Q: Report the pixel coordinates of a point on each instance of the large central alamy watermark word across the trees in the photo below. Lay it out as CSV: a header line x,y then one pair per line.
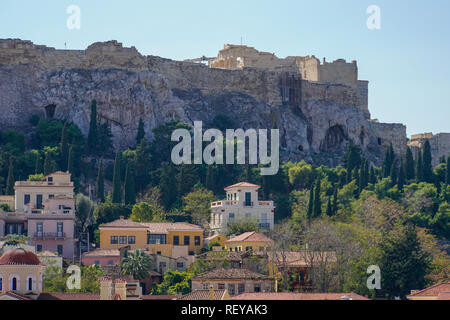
x,y
213,152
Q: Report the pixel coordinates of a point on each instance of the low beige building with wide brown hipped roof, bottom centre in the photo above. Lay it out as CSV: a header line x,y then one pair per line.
x,y
235,280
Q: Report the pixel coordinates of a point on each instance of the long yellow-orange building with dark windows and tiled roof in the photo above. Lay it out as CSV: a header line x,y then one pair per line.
x,y
168,239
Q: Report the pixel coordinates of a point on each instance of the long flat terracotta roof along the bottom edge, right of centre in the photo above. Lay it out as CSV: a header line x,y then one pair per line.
x,y
297,296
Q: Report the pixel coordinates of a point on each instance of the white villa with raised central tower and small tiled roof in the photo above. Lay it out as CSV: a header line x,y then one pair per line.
x,y
241,203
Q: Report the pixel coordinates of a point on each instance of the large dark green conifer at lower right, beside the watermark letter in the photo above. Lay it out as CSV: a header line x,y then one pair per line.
x,y
404,263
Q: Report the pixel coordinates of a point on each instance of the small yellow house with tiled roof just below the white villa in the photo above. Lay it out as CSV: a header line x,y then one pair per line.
x,y
254,241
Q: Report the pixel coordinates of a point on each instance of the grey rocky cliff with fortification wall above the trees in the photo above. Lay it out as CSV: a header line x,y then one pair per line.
x,y
316,119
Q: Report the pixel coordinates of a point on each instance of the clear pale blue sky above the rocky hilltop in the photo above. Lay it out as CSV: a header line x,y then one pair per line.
x,y
407,62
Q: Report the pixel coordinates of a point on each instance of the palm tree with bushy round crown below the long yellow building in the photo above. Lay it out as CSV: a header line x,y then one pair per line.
x,y
137,264
